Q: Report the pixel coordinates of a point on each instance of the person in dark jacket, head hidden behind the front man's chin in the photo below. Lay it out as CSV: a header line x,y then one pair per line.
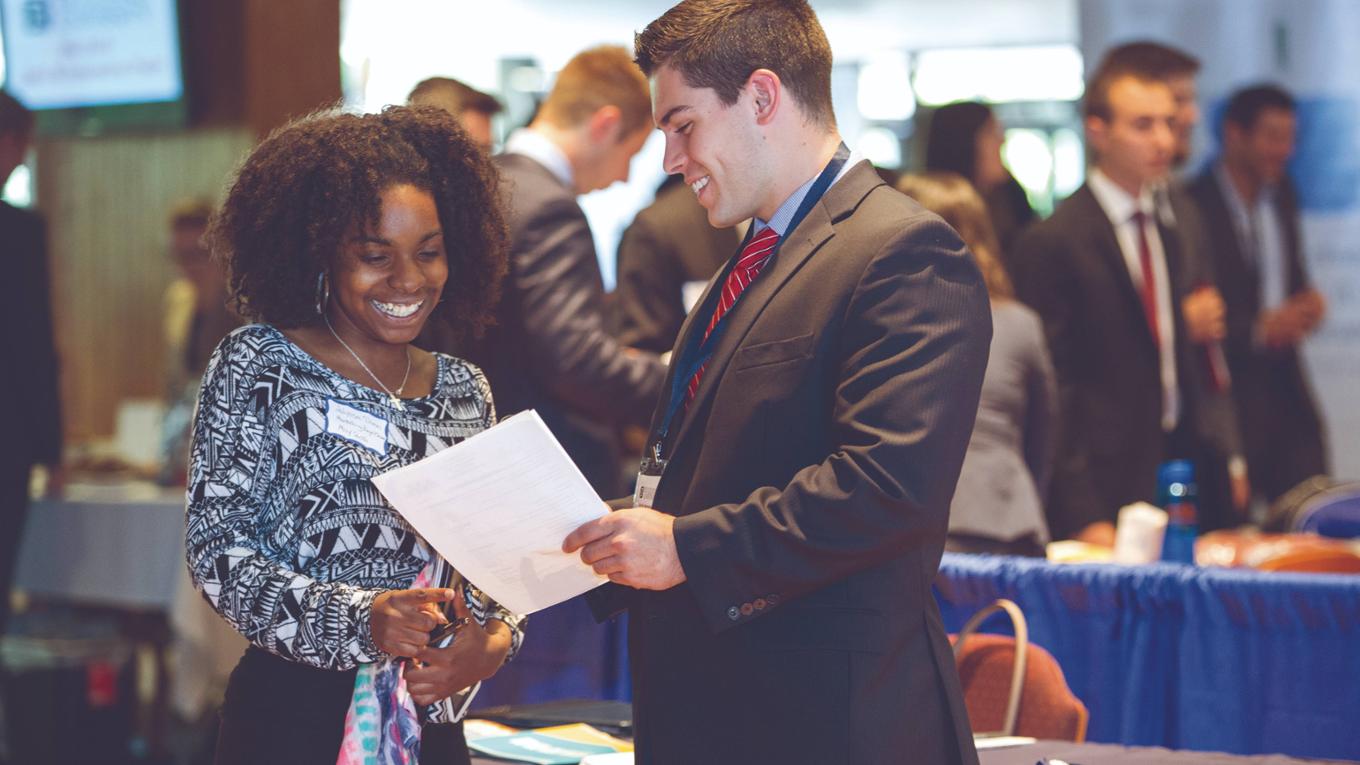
x,y
668,254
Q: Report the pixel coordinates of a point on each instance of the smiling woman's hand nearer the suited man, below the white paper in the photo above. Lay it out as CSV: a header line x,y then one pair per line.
x,y
475,655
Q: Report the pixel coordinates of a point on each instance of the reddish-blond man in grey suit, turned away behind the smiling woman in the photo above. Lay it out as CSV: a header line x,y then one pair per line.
x,y
551,349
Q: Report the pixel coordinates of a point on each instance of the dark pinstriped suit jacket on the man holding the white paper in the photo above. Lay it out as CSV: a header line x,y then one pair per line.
x,y
813,477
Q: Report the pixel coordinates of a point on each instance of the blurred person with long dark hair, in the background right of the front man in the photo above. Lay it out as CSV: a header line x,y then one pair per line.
x,y
966,138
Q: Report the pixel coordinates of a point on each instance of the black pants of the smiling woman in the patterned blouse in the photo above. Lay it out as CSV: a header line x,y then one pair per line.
x,y
289,714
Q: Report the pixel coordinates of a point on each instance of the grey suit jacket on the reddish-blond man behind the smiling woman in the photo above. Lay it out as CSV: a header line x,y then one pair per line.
x,y
551,349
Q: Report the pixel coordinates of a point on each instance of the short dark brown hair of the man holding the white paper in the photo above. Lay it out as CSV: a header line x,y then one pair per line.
x,y
717,44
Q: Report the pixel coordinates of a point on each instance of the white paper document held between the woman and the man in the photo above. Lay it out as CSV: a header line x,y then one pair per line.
x,y
498,507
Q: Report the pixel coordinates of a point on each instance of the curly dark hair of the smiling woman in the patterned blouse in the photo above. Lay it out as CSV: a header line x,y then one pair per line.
x,y
312,182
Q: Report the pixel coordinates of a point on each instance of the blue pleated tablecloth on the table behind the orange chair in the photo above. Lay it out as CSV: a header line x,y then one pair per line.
x,y
1188,658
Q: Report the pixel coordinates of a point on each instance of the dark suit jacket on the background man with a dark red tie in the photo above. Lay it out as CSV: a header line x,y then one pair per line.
x,y
1110,442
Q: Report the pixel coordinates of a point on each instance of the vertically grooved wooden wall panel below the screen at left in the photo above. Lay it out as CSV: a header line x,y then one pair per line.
x,y
107,204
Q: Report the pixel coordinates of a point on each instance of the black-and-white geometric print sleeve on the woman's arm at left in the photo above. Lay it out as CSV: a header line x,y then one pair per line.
x,y
231,557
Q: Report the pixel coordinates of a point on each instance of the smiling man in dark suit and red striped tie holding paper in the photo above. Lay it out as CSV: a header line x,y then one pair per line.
x,y
804,457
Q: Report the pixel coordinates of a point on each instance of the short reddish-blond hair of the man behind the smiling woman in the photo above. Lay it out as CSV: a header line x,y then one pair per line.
x,y
598,78
